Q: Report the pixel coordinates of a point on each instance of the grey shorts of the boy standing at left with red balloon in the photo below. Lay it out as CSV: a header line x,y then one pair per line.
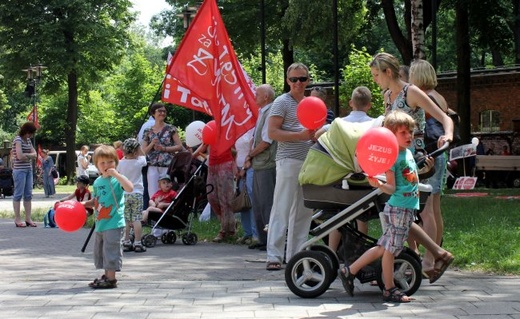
x,y
108,253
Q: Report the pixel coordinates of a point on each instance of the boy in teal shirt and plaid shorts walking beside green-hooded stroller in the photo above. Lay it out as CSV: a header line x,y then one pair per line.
x,y
402,183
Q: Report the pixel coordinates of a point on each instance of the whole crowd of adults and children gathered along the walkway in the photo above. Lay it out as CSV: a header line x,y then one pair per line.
x,y
266,161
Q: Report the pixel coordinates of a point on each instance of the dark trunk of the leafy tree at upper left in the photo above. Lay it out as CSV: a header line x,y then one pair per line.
x,y
72,121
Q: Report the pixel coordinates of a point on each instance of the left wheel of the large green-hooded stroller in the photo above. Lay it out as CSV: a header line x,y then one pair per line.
x,y
308,273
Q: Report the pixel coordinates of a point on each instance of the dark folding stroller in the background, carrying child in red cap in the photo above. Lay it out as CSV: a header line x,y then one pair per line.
x,y
190,174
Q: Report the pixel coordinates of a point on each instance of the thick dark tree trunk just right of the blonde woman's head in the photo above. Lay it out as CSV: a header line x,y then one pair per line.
x,y
463,70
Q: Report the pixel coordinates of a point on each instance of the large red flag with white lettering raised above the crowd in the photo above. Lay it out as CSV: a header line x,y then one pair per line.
x,y
205,75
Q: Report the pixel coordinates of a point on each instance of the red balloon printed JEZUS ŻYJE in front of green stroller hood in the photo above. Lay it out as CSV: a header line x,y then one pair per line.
x,y
377,150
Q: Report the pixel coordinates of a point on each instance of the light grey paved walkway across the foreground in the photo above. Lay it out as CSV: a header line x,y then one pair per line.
x,y
45,276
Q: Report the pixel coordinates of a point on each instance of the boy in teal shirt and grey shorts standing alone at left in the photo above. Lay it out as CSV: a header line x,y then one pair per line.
x,y
108,202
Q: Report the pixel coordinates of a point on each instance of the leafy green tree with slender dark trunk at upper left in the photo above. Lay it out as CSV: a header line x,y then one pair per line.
x,y
76,39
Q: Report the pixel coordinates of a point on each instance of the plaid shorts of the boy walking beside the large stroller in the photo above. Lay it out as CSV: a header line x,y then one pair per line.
x,y
397,222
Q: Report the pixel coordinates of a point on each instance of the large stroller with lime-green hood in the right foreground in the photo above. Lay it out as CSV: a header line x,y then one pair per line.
x,y
310,272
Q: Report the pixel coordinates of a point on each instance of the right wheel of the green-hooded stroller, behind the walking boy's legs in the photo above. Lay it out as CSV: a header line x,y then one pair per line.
x,y
407,274
